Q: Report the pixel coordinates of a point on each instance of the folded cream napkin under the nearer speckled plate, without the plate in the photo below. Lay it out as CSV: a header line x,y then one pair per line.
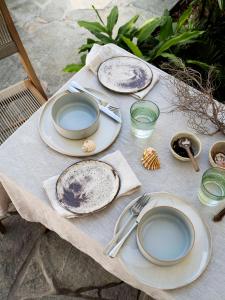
x,y
129,181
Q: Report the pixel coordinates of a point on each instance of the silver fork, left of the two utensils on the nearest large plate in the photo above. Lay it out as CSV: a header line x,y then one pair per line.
x,y
135,209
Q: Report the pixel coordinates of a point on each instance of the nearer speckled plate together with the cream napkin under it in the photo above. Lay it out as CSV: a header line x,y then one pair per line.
x,y
89,186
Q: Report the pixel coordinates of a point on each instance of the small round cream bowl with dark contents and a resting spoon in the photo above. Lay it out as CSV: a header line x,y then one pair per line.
x,y
195,142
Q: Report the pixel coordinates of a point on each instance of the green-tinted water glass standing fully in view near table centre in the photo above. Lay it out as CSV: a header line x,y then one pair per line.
x,y
144,115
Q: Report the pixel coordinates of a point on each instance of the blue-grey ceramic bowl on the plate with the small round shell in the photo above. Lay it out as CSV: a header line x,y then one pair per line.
x,y
75,116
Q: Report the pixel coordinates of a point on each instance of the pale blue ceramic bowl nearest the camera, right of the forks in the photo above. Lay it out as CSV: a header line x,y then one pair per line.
x,y
165,235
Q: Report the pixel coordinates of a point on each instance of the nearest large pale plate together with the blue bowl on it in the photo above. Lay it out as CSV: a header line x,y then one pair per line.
x,y
172,246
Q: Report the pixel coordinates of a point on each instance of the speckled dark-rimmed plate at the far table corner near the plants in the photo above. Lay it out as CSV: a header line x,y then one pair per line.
x,y
124,74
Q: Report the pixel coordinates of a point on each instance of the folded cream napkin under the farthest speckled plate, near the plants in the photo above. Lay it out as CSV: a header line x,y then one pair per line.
x,y
98,54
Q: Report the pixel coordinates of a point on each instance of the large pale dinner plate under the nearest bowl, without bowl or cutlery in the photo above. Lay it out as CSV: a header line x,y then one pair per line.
x,y
168,277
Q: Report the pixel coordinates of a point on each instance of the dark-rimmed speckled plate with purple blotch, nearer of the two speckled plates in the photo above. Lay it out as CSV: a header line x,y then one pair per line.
x,y
87,186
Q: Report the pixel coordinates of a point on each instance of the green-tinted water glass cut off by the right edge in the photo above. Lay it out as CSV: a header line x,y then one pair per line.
x,y
212,190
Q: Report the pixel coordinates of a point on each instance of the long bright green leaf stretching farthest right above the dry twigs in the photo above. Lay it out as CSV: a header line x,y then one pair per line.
x,y
183,38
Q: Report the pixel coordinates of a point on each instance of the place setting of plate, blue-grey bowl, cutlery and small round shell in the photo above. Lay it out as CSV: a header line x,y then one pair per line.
x,y
78,123
